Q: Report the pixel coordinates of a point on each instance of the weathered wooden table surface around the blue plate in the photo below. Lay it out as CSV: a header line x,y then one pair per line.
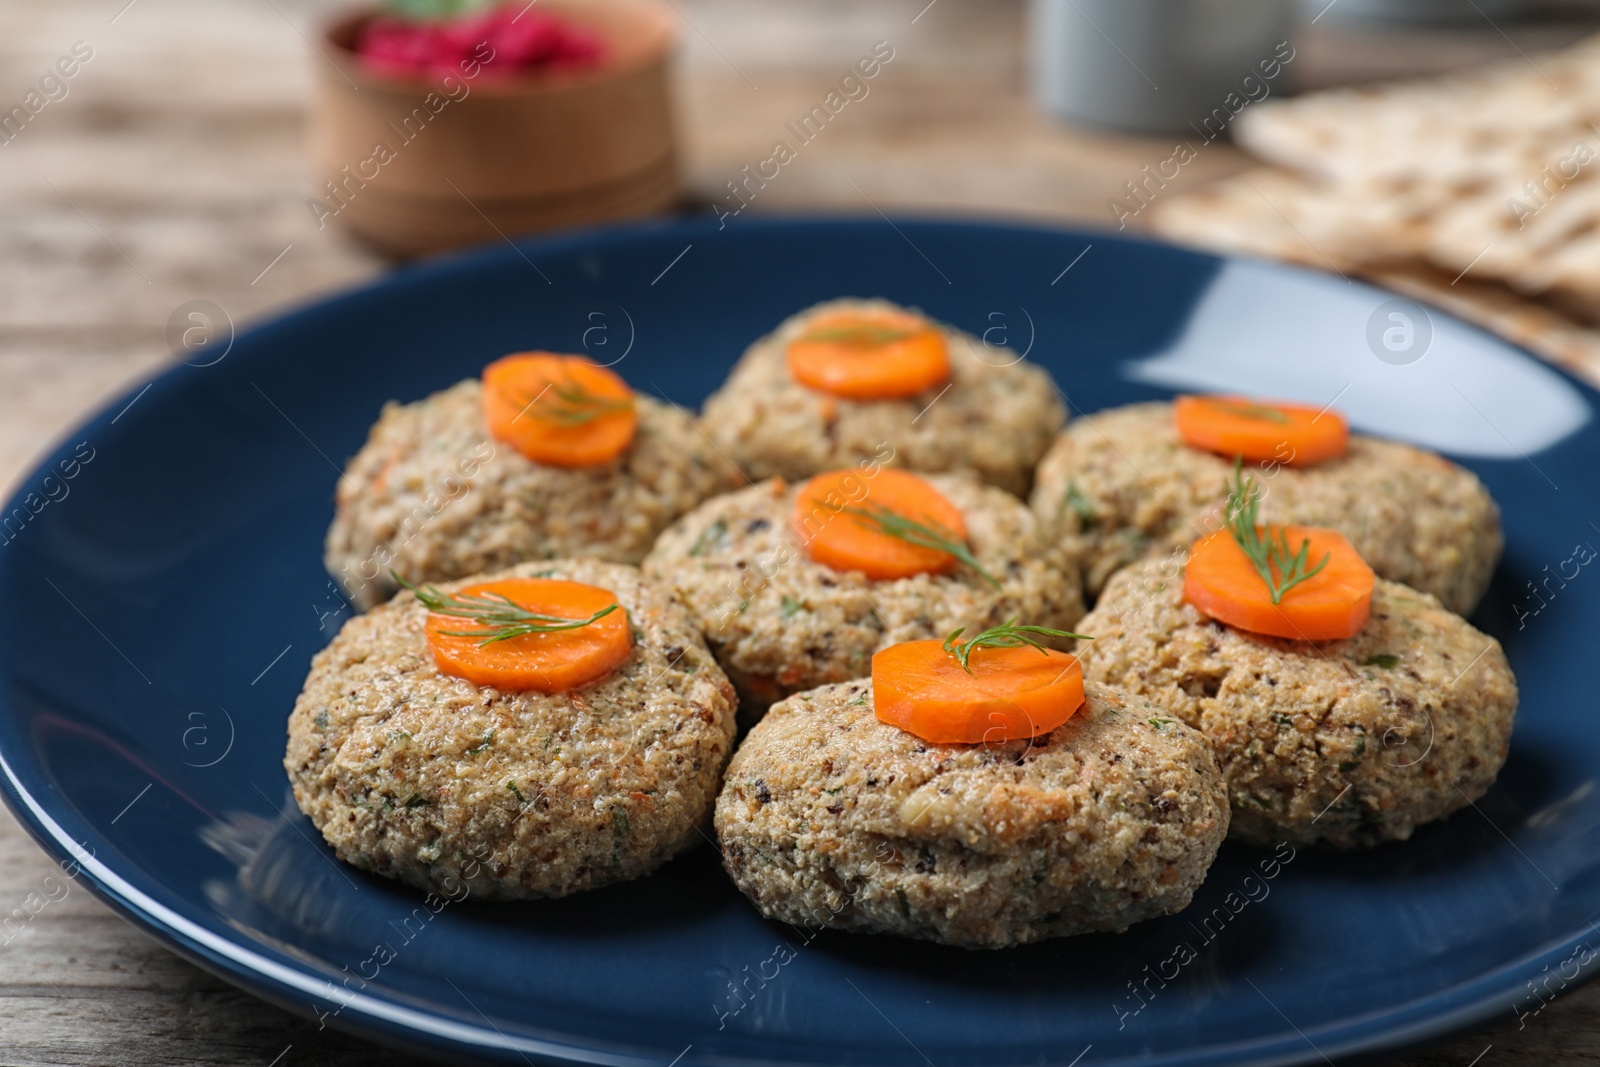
x,y
175,169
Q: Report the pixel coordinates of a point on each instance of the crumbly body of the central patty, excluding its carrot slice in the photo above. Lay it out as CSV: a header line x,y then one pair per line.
x,y
782,623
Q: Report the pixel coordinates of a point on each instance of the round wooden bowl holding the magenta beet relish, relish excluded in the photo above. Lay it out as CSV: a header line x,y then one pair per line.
x,y
417,167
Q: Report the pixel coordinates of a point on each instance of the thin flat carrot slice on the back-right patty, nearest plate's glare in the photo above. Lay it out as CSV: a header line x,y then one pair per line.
x,y
1262,431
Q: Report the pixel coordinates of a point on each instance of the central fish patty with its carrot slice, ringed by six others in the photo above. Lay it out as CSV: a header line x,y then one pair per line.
x,y
782,621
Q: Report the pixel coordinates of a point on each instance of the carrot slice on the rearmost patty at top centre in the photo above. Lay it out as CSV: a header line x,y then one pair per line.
x,y
871,356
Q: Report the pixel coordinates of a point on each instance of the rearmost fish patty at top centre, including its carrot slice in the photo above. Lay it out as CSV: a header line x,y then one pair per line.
x,y
791,414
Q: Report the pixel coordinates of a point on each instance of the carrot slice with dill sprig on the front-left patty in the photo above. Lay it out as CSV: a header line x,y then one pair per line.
x,y
468,642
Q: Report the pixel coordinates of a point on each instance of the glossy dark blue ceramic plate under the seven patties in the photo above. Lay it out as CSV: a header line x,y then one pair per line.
x,y
164,593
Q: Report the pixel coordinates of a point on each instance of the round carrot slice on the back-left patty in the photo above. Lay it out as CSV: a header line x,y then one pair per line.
x,y
559,410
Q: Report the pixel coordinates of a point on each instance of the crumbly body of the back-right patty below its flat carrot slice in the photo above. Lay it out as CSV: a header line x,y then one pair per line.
x,y
1121,486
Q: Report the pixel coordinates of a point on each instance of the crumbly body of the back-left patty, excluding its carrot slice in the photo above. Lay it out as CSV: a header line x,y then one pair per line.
x,y
434,497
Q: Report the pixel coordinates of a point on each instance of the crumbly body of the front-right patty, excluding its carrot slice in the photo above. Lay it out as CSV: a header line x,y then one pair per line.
x,y
1348,743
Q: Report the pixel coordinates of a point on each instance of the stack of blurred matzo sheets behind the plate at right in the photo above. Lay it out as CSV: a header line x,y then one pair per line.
x,y
1478,191
